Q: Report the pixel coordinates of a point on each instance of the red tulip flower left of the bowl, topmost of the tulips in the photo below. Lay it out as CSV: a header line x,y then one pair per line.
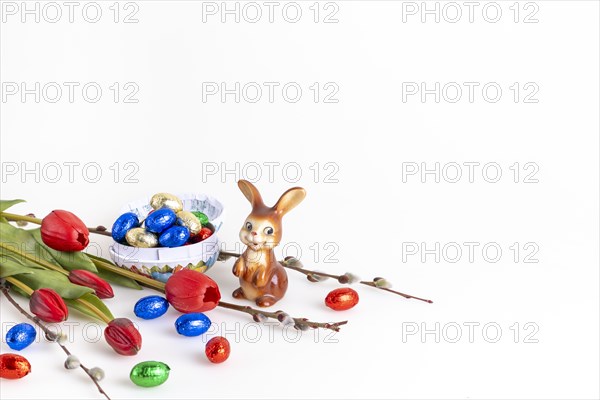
x,y
63,231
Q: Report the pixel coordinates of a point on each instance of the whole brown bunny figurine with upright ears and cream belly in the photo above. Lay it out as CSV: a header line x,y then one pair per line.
x,y
262,278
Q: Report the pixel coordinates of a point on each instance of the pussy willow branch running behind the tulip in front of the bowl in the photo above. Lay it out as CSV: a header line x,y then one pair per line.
x,y
160,286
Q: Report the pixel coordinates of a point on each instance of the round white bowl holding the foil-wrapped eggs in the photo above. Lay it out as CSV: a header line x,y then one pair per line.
x,y
160,262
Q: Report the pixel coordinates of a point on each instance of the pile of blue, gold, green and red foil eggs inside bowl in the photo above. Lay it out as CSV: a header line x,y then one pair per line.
x,y
167,225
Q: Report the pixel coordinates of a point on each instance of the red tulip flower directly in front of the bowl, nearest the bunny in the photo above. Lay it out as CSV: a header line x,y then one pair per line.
x,y
191,291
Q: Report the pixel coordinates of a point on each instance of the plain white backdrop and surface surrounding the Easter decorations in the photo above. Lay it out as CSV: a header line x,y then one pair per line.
x,y
173,138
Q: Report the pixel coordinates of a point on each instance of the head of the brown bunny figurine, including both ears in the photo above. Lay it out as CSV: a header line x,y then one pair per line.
x,y
262,228
